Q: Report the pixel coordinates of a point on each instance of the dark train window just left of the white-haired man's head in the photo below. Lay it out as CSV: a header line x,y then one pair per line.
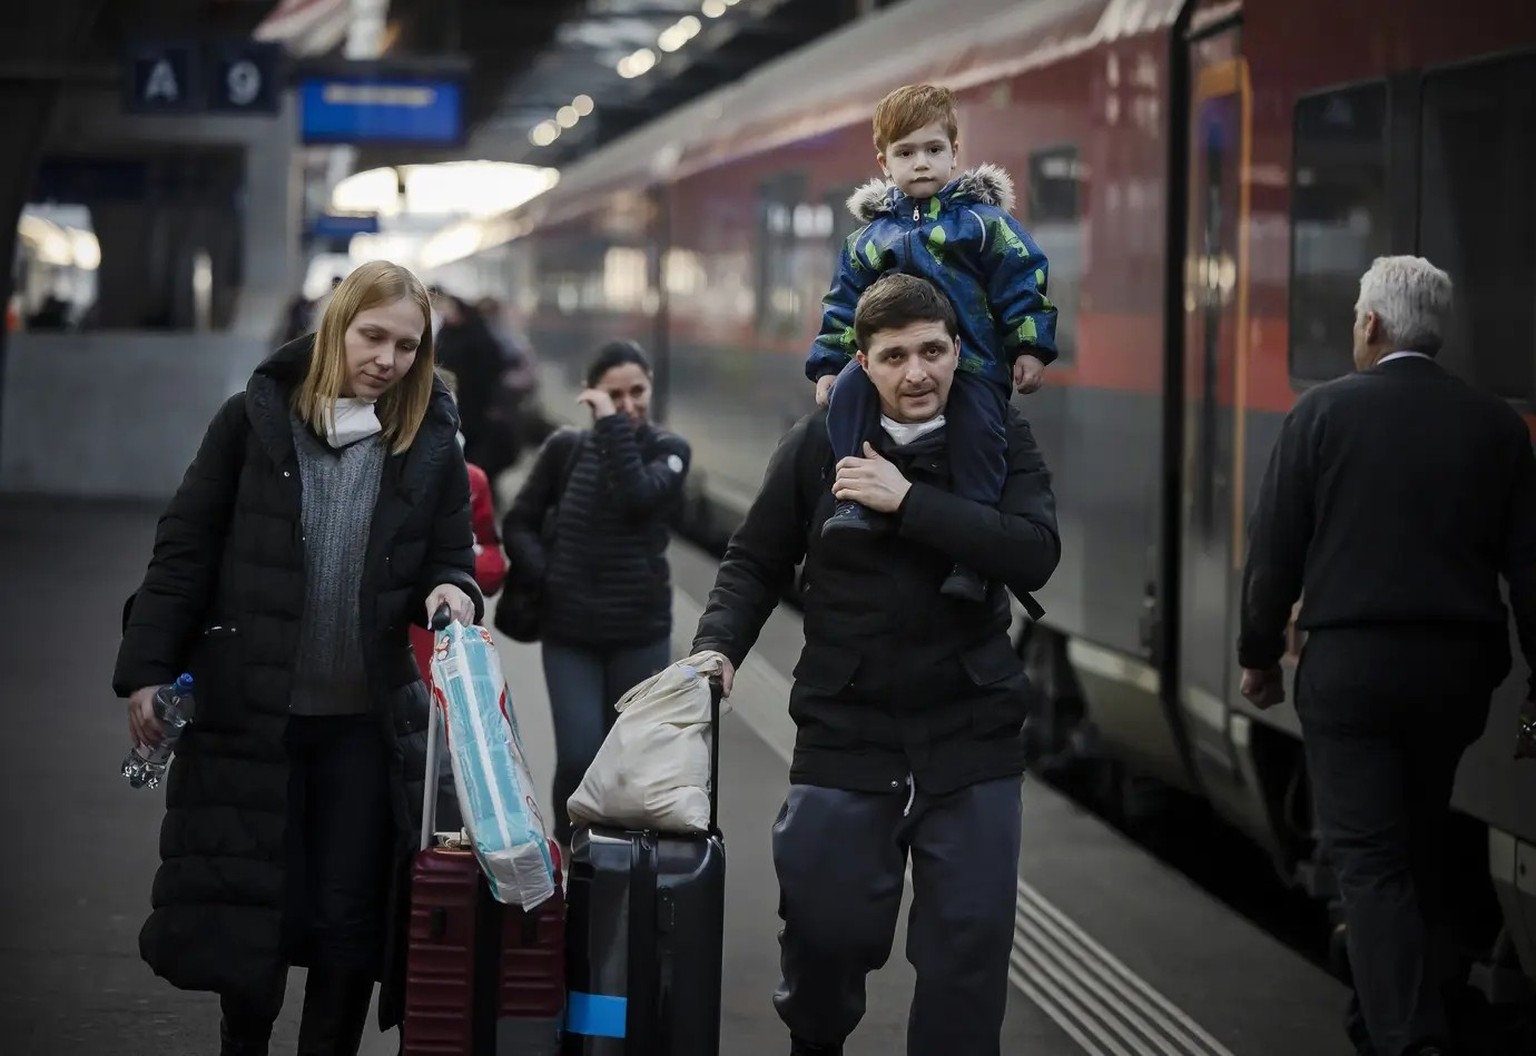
x,y
1339,222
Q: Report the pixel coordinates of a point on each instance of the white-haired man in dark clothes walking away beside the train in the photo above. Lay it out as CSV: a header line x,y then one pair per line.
x,y
1394,501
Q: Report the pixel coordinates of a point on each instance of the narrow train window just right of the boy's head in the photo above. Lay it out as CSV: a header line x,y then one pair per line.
x,y
1054,216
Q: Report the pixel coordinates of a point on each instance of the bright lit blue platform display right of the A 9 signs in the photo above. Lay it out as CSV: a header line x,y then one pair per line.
x,y
382,110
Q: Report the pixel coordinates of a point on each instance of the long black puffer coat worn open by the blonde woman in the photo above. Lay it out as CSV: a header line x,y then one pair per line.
x,y
223,599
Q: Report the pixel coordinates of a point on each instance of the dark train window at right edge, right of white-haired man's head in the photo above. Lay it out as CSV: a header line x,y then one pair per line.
x,y
1478,220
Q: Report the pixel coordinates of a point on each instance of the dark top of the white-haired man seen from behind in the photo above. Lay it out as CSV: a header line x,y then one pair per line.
x,y
1395,497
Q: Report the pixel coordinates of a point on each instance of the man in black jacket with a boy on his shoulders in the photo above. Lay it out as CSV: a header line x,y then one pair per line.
x,y
909,705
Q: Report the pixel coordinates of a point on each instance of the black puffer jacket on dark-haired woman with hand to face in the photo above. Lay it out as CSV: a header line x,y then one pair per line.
x,y
591,526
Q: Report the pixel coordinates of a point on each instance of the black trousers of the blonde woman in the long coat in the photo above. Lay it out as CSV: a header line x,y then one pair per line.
x,y
339,840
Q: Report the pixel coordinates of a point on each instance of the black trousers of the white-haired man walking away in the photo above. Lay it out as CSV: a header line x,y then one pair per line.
x,y
1386,718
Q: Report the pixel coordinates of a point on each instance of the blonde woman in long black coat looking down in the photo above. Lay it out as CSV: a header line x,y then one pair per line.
x,y
326,510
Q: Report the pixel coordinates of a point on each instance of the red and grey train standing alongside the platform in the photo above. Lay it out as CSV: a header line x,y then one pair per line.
x,y
1210,180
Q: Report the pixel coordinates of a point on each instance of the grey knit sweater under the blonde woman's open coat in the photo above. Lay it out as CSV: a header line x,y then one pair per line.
x,y
340,490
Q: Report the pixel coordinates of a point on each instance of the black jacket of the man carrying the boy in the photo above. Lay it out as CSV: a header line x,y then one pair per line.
x,y
895,679
